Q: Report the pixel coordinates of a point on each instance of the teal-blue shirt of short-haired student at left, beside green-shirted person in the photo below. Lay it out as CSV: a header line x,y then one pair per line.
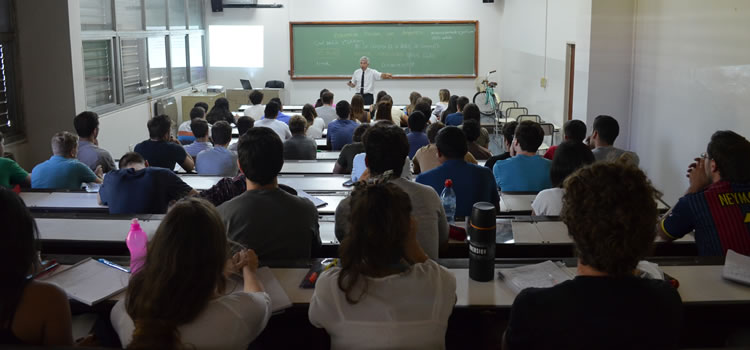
x,y
61,173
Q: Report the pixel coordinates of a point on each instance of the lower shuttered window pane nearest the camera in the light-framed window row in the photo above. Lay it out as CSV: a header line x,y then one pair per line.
x,y
97,65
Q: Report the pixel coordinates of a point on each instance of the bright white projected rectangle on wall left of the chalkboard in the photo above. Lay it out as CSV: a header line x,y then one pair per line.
x,y
226,52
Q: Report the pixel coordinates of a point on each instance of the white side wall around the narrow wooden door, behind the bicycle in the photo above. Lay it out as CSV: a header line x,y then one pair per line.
x,y
523,55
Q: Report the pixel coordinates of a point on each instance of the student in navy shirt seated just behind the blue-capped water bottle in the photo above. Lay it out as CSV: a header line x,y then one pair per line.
x,y
472,183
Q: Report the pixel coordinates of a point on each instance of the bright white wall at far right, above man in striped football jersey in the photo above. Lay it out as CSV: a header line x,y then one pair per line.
x,y
692,77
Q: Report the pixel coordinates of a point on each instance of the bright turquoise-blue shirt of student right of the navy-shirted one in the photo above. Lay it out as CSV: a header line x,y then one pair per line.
x,y
522,173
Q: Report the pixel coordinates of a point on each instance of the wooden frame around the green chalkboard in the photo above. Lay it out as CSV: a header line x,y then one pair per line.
x,y
471,76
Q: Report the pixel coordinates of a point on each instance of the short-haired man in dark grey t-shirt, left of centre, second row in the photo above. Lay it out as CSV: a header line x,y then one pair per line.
x,y
259,218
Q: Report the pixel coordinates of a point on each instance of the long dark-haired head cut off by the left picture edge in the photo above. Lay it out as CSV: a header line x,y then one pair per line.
x,y
18,247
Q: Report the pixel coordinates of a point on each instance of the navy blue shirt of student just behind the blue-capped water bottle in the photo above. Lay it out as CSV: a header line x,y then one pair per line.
x,y
472,183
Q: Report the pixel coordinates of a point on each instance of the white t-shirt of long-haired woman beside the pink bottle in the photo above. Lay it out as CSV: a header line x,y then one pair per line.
x,y
228,322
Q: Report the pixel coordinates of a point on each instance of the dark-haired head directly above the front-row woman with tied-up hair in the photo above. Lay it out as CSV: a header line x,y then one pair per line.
x,y
386,148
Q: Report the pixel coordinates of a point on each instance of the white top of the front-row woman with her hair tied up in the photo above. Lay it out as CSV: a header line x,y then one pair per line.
x,y
403,311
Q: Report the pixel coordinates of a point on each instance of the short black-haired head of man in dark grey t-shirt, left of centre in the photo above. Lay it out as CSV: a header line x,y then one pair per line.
x,y
261,155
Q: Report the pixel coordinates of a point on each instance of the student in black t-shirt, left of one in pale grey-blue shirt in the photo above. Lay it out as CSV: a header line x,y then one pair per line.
x,y
163,150
